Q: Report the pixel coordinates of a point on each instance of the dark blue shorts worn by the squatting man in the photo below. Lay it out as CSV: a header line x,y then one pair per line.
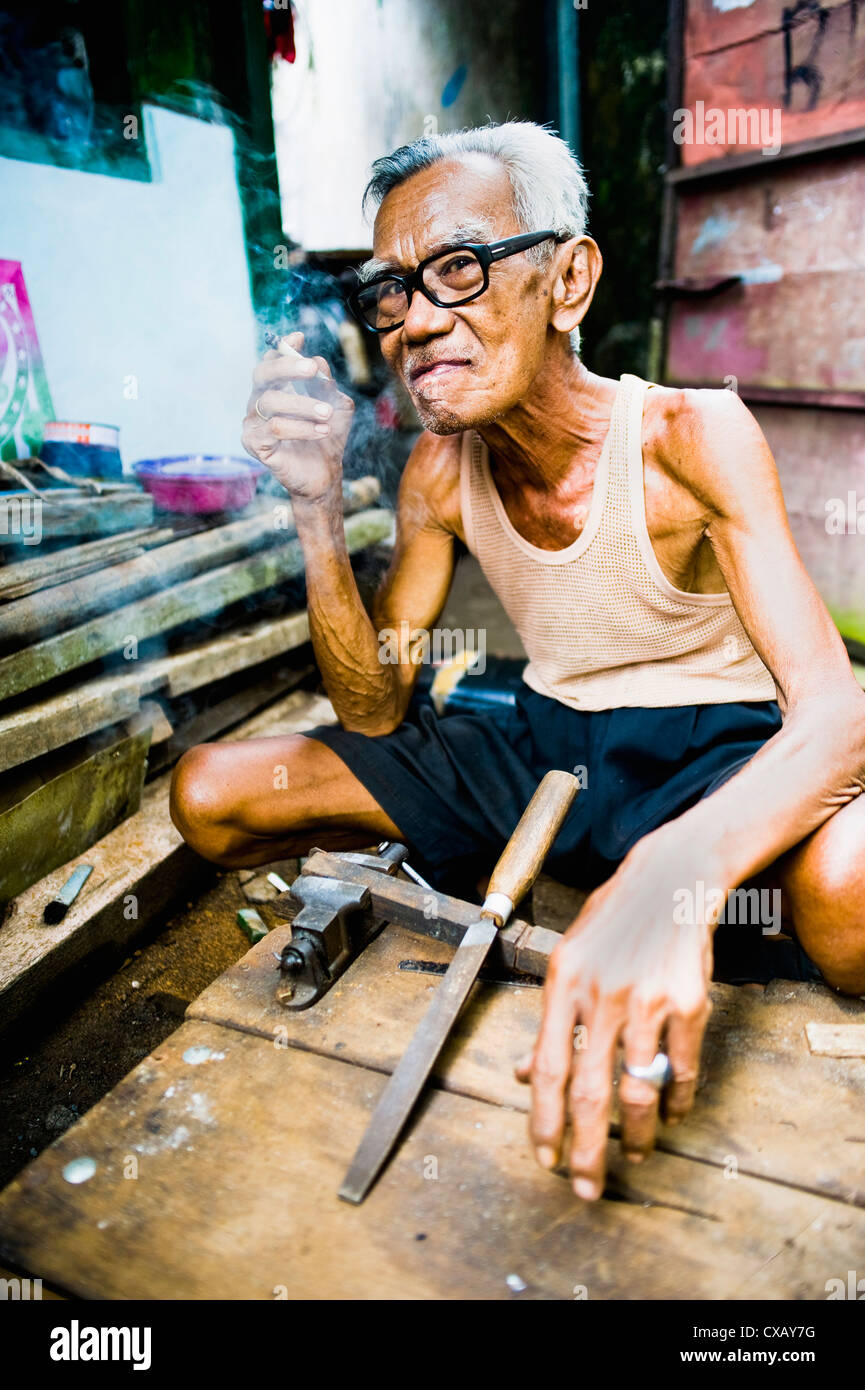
x,y
457,785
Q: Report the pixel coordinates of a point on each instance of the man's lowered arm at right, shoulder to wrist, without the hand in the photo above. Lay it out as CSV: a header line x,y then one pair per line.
x,y
817,761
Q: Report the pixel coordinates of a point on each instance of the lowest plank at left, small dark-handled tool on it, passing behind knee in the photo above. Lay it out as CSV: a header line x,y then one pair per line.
x,y
141,871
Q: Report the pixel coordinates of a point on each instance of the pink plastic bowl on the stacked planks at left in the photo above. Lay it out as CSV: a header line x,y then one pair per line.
x,y
200,483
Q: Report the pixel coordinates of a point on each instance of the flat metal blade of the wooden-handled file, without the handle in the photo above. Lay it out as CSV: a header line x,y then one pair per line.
x,y
418,1061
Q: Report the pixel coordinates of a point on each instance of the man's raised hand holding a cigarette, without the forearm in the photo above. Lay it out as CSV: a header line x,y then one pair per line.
x,y
297,419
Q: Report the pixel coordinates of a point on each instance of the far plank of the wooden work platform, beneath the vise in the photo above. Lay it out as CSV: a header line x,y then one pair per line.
x,y
766,1103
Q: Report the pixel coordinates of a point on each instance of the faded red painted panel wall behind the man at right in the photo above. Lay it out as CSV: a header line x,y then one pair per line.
x,y
795,234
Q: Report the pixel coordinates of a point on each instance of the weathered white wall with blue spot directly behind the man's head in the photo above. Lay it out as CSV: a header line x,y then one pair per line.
x,y
371,76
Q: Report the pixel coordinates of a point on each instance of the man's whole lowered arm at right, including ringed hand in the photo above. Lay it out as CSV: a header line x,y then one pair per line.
x,y
631,970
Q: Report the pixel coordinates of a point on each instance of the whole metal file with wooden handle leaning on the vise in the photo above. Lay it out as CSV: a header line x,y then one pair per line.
x,y
512,878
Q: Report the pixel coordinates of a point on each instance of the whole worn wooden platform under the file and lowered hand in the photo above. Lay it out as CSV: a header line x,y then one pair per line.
x,y
219,1160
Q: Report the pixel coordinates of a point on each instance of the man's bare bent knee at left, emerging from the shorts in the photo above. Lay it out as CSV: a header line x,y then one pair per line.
x,y
245,804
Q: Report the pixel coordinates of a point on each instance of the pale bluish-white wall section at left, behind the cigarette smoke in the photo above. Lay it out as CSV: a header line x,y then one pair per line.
x,y
141,280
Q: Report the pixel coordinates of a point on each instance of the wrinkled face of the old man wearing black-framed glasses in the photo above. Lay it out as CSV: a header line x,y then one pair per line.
x,y
464,366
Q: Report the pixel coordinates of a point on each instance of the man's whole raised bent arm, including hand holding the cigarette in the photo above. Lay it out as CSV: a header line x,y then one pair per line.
x,y
304,450
